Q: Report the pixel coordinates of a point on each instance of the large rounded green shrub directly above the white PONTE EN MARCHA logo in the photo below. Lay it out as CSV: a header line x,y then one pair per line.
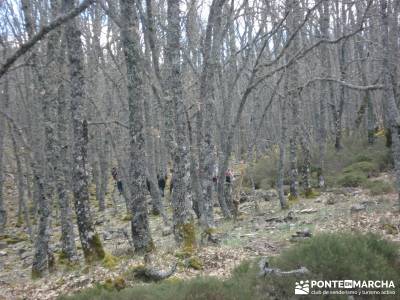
x,y
344,256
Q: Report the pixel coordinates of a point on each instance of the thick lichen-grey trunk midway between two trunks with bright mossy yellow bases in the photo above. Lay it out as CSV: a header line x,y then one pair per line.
x,y
137,176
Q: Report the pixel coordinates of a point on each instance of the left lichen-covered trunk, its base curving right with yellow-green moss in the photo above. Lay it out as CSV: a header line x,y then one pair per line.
x,y
91,244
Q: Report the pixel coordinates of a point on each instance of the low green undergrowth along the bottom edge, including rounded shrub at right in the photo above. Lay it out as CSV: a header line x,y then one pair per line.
x,y
330,256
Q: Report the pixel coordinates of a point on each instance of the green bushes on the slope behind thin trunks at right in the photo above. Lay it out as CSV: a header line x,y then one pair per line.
x,y
355,157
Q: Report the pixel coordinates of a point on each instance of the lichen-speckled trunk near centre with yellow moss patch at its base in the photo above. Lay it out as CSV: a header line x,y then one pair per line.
x,y
182,197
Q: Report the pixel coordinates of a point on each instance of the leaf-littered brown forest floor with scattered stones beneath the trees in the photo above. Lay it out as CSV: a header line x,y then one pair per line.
x,y
264,232
